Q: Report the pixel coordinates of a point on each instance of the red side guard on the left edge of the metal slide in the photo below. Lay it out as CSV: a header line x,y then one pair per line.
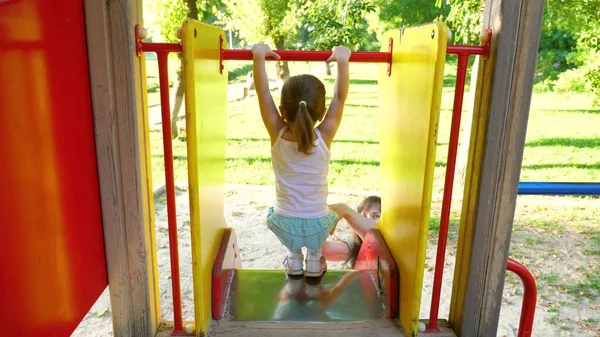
x,y
228,259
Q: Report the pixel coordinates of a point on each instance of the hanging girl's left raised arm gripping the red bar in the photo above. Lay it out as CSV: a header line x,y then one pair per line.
x,y
273,122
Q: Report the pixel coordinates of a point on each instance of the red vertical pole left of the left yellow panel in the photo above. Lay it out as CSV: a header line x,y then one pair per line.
x,y
163,75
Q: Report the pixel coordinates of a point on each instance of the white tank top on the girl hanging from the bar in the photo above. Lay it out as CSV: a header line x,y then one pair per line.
x,y
300,179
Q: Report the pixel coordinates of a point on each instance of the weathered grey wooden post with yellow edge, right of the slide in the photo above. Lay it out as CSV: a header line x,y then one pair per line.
x,y
496,149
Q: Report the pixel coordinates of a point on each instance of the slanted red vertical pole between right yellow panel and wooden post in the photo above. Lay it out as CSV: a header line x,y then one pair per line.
x,y
459,91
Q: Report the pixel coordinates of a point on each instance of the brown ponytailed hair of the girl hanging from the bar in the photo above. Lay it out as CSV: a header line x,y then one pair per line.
x,y
302,118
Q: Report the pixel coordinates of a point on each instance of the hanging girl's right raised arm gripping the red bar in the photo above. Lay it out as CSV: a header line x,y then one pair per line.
x,y
332,120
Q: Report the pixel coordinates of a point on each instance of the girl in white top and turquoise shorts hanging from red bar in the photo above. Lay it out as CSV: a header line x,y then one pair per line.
x,y
300,155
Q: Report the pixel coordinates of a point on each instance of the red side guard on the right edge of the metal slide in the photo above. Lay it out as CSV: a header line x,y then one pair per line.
x,y
375,255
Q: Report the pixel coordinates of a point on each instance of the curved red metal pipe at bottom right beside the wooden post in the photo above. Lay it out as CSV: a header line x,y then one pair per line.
x,y
529,297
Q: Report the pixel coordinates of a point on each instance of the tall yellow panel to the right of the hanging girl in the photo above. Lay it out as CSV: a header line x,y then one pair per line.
x,y
409,114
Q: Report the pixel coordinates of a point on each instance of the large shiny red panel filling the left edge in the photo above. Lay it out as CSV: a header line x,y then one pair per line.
x,y
53,266
